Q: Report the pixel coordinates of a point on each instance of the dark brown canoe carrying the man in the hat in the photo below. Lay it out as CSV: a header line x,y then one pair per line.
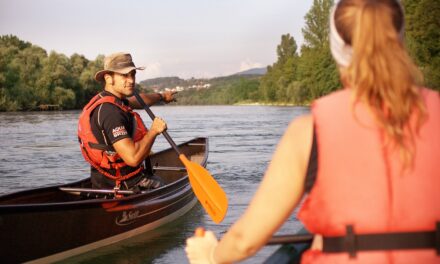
x,y
52,223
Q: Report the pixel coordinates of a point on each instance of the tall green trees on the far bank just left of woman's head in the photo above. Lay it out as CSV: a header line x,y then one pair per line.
x,y
299,77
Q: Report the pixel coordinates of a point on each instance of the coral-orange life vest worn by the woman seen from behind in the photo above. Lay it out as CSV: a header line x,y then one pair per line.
x,y
360,182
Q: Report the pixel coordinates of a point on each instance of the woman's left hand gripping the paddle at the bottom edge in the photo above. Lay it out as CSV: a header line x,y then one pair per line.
x,y
200,249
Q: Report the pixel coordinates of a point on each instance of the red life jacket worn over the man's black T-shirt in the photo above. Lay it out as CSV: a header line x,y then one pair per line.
x,y
100,156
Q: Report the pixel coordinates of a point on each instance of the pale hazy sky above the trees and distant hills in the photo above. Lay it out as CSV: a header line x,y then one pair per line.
x,y
184,38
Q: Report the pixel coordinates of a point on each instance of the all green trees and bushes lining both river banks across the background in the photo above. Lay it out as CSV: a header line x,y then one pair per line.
x,y
30,77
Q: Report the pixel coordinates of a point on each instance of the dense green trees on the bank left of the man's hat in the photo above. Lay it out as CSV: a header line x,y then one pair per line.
x,y
29,77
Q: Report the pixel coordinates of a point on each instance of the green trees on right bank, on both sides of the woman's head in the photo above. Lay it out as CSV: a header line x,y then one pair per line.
x,y
298,77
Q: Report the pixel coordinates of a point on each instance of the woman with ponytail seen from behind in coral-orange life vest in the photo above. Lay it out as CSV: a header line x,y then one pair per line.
x,y
367,156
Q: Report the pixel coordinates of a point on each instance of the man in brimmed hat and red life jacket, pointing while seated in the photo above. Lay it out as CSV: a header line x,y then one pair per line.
x,y
112,136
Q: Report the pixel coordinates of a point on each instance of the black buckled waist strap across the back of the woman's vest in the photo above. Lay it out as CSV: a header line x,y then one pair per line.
x,y
351,243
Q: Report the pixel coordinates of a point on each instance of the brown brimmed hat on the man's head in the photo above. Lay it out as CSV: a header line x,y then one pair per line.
x,y
120,62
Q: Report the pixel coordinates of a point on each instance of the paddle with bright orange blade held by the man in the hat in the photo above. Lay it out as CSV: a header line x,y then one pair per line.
x,y
207,190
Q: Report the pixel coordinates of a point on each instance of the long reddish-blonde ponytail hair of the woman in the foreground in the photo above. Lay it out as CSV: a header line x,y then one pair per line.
x,y
381,72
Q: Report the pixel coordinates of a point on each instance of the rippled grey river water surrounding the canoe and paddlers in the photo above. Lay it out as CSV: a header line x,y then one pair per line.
x,y
40,149
